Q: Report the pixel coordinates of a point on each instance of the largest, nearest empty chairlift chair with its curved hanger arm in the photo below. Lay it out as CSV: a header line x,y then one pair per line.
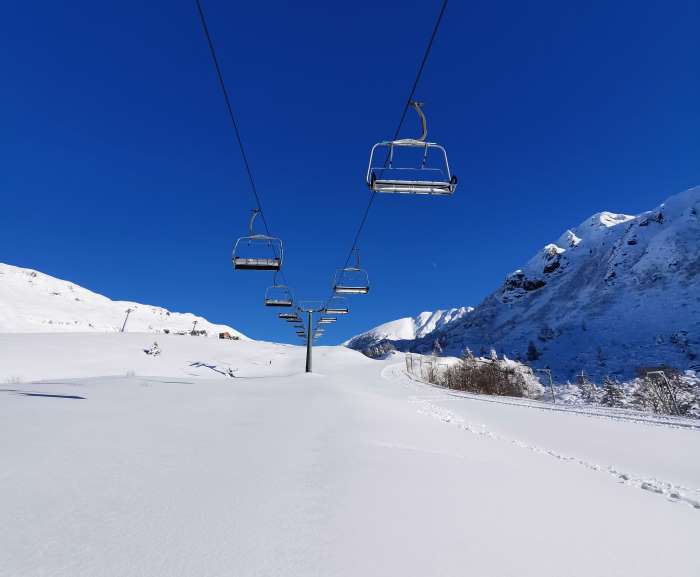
x,y
394,174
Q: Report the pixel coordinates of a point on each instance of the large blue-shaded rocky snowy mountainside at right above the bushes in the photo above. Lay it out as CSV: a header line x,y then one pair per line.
x,y
611,295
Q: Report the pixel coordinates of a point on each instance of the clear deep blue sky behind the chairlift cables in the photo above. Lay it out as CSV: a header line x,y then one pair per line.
x,y
119,171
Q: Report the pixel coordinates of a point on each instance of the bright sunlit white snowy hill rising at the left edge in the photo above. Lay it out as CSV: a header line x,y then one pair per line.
x,y
33,302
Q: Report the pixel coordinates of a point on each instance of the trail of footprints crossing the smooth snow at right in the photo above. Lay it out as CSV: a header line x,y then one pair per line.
x,y
674,493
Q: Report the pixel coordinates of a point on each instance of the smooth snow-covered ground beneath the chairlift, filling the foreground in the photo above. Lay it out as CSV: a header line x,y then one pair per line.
x,y
115,463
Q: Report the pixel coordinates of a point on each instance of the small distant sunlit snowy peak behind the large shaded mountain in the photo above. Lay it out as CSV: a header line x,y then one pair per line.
x,y
407,328
